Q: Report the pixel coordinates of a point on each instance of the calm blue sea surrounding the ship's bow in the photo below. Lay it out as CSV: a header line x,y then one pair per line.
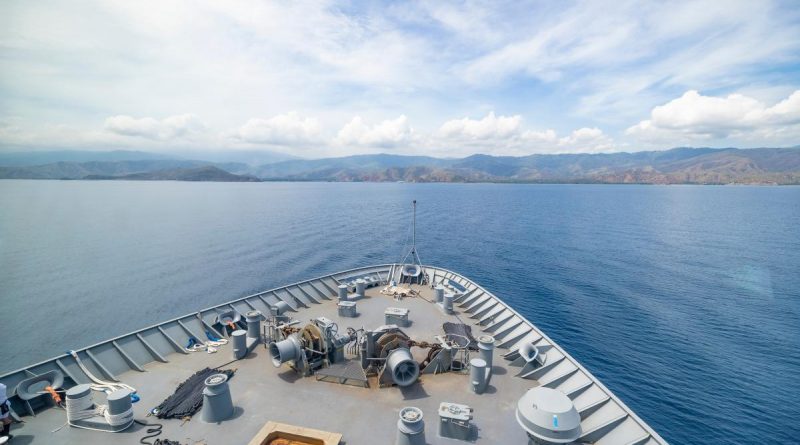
x,y
683,300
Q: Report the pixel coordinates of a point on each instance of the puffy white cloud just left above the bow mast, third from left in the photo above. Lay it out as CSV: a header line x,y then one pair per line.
x,y
387,134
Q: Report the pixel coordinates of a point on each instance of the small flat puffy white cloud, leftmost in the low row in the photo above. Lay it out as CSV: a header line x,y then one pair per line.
x,y
172,127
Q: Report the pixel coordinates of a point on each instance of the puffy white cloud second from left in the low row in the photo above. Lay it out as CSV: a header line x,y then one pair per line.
x,y
283,129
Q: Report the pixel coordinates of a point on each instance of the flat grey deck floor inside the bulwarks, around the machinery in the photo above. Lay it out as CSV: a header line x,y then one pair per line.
x,y
264,393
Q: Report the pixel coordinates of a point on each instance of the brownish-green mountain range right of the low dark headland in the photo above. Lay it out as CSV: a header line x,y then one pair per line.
x,y
675,166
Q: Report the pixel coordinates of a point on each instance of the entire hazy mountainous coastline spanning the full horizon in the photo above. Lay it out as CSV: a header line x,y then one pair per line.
x,y
675,166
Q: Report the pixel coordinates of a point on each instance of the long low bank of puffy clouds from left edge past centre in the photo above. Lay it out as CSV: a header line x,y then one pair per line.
x,y
492,134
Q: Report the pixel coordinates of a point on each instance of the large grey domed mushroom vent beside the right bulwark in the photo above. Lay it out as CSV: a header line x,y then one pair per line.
x,y
548,416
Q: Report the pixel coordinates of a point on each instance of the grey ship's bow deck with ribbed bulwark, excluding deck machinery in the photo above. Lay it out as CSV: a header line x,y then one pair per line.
x,y
264,393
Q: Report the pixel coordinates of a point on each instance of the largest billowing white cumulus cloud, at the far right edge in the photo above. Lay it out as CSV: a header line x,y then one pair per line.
x,y
694,116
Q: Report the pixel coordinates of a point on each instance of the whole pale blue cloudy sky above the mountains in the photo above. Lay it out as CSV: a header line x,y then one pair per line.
x,y
319,78
